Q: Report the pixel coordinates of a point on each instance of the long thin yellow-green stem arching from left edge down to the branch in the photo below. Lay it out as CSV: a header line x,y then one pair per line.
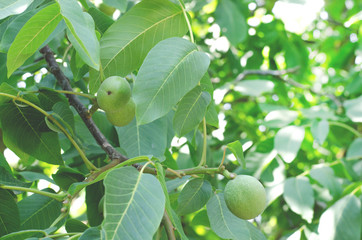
x,y
89,165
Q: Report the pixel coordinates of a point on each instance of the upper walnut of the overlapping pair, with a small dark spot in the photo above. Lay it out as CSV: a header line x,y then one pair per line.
x,y
113,94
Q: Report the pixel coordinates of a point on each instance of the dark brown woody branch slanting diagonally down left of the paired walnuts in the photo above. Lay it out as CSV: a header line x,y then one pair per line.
x,y
80,108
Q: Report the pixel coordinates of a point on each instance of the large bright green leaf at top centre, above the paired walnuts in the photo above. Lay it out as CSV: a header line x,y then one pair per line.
x,y
126,45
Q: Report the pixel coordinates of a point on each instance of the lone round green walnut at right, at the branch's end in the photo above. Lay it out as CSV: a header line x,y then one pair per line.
x,y
245,197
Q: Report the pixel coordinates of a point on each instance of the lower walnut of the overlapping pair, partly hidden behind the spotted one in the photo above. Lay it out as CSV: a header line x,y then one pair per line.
x,y
123,115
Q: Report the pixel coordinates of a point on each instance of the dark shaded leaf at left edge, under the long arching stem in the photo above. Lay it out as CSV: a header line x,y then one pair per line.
x,y
24,129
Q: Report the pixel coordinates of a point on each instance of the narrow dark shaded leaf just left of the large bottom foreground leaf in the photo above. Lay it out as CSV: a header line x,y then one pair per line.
x,y
94,194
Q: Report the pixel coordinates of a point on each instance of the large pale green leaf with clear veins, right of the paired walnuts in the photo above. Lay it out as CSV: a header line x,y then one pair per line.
x,y
170,70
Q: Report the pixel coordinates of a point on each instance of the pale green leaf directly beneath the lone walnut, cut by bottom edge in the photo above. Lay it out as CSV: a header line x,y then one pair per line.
x,y
226,225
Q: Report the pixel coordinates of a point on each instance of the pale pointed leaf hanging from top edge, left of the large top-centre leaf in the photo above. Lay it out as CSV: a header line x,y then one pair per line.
x,y
81,32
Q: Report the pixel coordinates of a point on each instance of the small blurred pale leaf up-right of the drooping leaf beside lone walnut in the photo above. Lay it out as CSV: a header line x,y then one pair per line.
x,y
325,176
